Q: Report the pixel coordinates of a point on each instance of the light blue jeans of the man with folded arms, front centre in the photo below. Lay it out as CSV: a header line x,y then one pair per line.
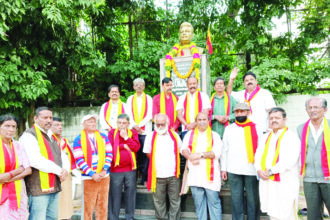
x,y
205,198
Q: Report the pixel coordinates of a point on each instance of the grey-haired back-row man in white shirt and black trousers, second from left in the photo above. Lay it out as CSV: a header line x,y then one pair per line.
x,y
139,108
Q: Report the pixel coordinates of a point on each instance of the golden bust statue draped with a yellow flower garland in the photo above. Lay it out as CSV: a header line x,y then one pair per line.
x,y
185,48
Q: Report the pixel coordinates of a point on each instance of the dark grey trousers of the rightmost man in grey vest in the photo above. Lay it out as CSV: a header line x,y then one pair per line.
x,y
316,195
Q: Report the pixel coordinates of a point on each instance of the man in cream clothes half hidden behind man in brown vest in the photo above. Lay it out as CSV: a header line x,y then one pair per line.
x,y
65,206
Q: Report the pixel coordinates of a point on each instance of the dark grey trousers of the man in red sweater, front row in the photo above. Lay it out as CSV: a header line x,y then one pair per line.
x,y
117,180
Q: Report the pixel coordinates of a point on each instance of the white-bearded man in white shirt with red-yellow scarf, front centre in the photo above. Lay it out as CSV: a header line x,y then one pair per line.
x,y
163,148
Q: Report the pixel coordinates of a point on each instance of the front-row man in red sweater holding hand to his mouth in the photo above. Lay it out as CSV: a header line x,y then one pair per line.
x,y
125,144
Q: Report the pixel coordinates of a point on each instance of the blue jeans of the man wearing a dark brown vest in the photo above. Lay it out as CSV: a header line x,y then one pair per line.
x,y
44,206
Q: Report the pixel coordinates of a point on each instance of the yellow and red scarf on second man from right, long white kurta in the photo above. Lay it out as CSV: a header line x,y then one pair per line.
x,y
275,177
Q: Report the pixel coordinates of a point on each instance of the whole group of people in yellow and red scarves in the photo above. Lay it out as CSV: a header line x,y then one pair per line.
x,y
240,136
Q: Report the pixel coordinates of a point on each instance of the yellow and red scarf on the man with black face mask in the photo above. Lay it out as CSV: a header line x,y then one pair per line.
x,y
251,138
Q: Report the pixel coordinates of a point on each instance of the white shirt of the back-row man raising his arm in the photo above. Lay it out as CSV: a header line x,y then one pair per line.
x,y
259,105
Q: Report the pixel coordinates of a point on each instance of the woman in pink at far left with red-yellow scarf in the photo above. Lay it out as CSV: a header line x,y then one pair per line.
x,y
14,166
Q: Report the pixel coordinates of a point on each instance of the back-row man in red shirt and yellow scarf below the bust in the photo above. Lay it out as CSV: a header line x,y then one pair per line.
x,y
165,103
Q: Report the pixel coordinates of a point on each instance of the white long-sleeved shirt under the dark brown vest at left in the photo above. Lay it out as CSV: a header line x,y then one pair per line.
x,y
39,162
